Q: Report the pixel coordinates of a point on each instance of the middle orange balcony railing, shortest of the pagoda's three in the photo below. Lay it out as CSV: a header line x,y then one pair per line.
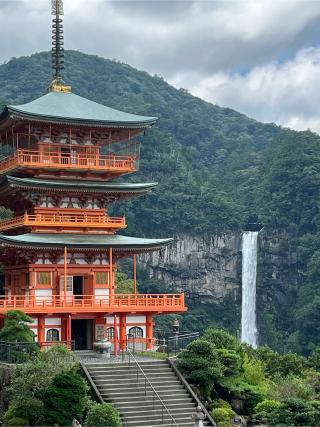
x,y
64,220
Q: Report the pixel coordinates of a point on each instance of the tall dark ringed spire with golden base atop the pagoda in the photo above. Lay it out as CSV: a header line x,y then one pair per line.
x,y
58,84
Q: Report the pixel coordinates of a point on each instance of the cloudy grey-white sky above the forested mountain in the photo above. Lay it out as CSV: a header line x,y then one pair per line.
x,y
259,57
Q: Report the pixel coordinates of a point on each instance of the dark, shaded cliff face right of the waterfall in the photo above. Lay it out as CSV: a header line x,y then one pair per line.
x,y
278,279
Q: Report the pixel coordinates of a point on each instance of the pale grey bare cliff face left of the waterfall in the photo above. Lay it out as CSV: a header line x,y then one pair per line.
x,y
208,267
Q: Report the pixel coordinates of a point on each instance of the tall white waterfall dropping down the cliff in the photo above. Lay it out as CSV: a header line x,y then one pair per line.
x,y
249,276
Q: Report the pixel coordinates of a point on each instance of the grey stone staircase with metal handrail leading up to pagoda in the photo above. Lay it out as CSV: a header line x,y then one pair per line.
x,y
126,387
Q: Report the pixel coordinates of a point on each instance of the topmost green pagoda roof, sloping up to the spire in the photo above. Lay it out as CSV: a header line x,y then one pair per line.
x,y
68,107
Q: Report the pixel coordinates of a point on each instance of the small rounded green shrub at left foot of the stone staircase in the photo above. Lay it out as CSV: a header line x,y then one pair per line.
x,y
103,414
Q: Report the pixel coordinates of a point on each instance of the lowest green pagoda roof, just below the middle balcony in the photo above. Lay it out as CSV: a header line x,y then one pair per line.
x,y
83,241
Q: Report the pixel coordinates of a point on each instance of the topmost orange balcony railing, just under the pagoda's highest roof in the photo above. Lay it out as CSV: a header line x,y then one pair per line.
x,y
40,160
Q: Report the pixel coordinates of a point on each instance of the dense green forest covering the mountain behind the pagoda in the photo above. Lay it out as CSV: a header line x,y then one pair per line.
x,y
217,170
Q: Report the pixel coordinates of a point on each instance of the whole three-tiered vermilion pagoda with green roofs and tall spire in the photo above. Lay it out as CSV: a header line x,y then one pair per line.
x,y
62,153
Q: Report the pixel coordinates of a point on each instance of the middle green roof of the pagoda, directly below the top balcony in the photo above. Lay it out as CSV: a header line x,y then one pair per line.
x,y
80,185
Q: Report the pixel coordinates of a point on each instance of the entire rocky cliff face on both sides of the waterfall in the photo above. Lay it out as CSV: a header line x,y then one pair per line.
x,y
208,269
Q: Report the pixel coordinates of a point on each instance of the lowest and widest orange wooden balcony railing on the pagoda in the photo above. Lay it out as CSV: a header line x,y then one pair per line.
x,y
95,304
